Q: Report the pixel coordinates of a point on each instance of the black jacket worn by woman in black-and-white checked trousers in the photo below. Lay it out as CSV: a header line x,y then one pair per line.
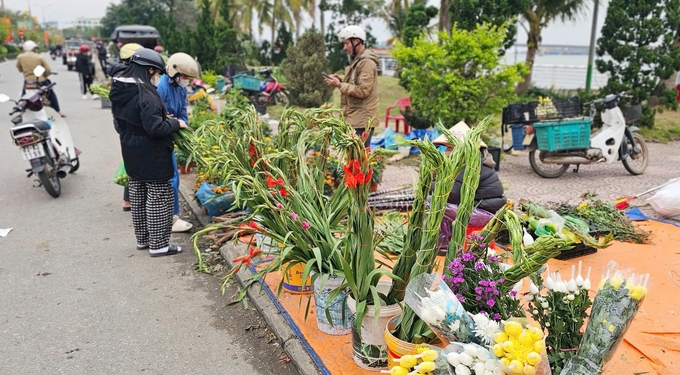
x,y
145,130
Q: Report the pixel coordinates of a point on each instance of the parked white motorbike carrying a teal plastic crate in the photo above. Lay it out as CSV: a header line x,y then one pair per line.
x,y
618,139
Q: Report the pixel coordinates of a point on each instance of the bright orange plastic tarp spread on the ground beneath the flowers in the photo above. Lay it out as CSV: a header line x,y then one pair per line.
x,y
651,345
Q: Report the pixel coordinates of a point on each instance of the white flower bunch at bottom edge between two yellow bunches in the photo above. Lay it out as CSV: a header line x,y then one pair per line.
x,y
470,359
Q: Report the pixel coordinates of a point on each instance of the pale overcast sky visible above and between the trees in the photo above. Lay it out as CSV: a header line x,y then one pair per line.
x,y
66,11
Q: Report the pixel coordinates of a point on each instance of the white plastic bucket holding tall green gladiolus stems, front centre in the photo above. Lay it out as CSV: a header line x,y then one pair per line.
x,y
369,349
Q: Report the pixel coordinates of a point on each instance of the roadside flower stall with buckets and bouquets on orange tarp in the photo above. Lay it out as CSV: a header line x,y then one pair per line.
x,y
370,293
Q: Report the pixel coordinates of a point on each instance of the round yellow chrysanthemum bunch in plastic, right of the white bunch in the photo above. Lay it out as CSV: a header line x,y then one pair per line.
x,y
520,348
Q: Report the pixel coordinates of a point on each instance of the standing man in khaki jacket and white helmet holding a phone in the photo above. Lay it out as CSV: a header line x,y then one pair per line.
x,y
359,86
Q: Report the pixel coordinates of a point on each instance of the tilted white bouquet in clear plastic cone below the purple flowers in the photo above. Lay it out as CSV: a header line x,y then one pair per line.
x,y
433,301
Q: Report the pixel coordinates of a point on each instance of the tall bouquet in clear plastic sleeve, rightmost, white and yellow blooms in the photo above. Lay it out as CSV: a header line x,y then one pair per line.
x,y
618,298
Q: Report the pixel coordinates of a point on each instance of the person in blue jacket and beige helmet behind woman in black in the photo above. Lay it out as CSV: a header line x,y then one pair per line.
x,y
172,88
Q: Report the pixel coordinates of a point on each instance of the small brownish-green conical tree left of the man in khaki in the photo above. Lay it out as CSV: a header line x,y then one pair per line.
x,y
302,68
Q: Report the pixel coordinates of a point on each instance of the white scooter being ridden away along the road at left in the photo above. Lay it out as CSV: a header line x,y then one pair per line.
x,y
43,137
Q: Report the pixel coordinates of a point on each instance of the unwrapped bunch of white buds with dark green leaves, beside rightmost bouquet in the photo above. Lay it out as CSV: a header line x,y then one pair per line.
x,y
561,312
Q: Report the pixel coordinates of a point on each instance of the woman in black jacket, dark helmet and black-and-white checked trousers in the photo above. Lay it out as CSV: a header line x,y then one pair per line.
x,y
145,131
